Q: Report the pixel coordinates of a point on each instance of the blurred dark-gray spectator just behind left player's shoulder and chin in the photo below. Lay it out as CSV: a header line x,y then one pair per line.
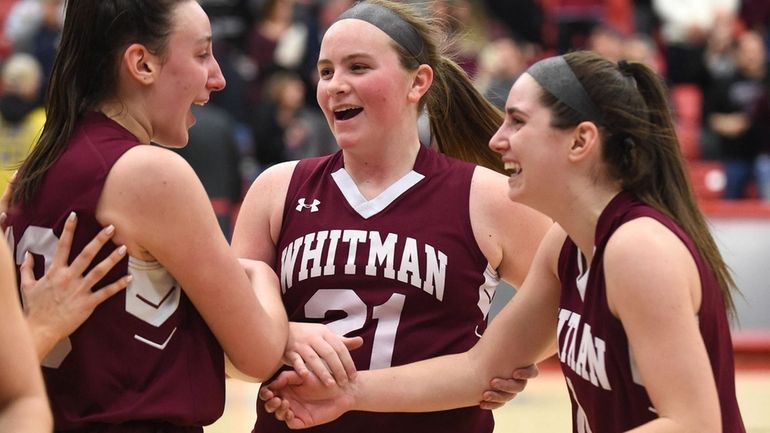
x,y
212,152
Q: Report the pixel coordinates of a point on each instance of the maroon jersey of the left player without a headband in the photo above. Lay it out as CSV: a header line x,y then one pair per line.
x,y
145,355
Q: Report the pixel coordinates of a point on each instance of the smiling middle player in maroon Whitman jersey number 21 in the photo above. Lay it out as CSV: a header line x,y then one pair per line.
x,y
389,241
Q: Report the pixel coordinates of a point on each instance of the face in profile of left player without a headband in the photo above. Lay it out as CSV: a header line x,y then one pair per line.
x,y
187,76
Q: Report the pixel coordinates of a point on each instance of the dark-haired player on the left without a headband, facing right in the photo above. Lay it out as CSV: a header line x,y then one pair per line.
x,y
150,358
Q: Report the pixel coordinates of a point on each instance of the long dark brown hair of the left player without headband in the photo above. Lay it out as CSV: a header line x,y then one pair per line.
x,y
85,70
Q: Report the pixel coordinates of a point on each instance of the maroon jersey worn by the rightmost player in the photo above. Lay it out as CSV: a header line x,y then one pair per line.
x,y
607,392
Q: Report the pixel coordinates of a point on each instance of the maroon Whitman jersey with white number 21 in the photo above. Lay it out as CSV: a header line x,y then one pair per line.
x,y
402,270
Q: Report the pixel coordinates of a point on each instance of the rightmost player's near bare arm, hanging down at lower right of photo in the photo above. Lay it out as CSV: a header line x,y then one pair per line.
x,y
654,289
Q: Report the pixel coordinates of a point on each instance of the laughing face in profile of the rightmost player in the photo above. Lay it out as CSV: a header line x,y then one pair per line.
x,y
528,145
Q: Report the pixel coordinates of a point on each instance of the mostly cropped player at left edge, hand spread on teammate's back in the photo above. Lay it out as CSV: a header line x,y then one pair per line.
x,y
64,292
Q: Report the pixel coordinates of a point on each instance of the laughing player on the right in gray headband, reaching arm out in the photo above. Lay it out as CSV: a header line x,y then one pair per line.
x,y
630,276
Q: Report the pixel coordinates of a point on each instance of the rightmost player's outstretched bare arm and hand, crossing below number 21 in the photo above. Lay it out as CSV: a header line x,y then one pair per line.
x,y
521,334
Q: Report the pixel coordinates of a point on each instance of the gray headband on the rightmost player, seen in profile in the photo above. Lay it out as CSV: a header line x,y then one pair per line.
x,y
555,75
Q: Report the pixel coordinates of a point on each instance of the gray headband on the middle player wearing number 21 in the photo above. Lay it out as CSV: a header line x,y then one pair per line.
x,y
389,22
